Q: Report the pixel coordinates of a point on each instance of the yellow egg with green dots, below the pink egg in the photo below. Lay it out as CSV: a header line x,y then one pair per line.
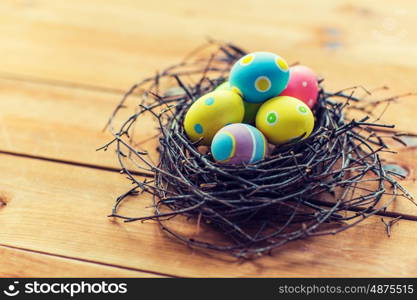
x,y
284,119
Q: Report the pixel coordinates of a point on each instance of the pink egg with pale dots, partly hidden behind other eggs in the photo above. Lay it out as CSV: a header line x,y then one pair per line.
x,y
302,85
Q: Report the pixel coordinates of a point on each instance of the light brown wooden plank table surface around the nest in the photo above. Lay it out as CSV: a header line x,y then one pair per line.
x,y
64,66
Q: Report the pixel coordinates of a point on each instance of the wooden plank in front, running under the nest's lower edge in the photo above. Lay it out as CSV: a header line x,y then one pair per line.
x,y
61,209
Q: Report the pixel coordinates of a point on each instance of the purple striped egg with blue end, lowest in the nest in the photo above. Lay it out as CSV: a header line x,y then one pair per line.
x,y
239,143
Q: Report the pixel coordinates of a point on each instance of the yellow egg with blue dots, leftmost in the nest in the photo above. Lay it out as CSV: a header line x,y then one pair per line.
x,y
210,113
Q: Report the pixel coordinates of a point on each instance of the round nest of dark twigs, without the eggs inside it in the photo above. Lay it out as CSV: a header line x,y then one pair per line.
x,y
321,185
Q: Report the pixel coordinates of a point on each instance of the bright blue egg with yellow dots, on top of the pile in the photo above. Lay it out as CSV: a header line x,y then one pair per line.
x,y
259,76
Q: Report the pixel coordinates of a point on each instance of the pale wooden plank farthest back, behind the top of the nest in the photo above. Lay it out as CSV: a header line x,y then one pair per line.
x,y
357,43
